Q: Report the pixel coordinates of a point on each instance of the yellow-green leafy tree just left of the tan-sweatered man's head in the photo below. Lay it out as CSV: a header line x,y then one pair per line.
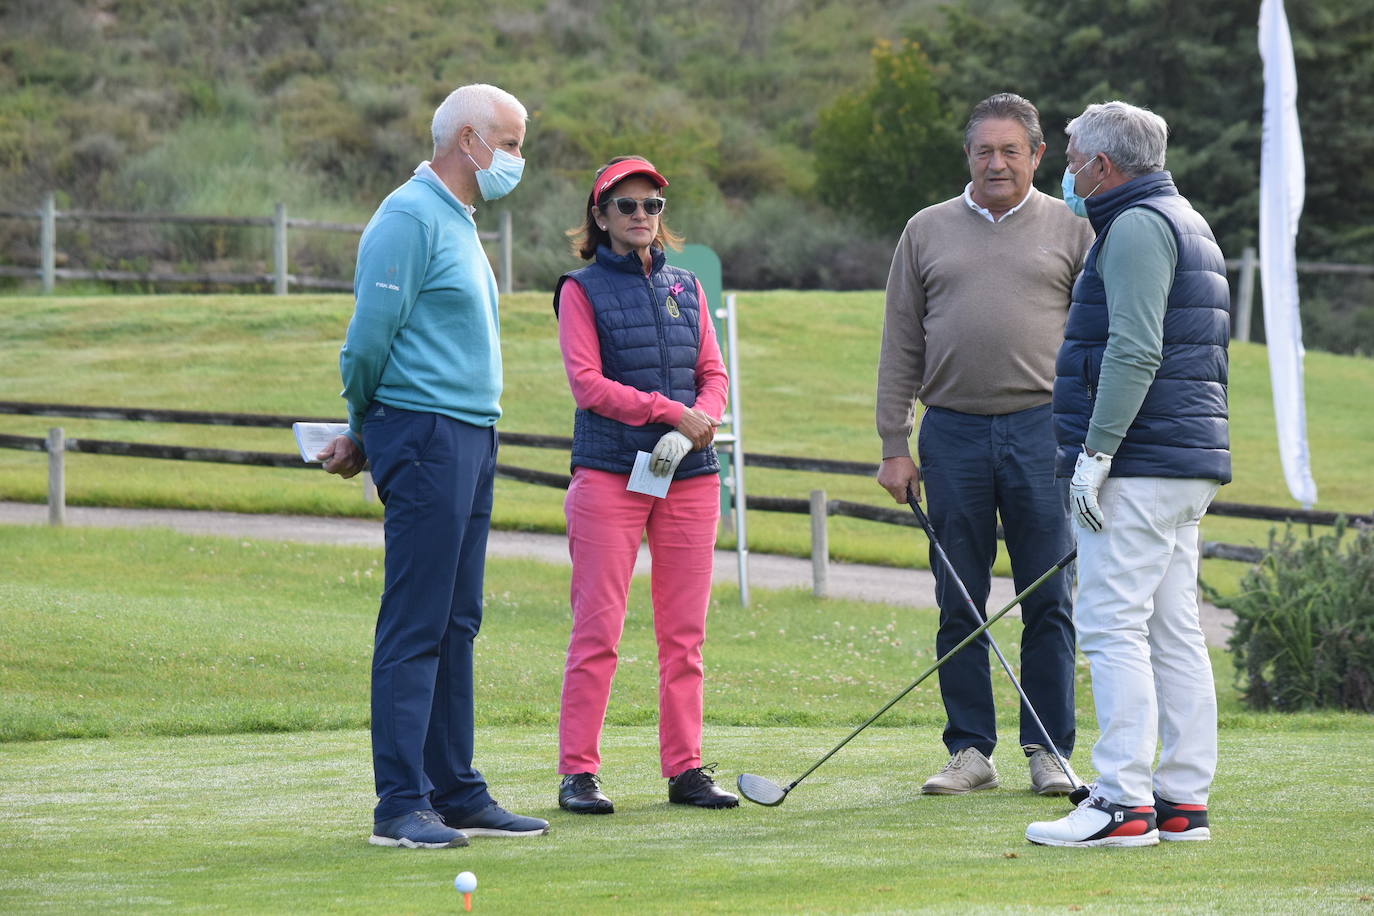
x,y
891,148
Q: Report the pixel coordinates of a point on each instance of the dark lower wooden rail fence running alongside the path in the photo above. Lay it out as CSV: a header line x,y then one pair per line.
x,y
817,506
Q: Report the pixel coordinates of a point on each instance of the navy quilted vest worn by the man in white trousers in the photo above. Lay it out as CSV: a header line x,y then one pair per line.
x,y
1181,431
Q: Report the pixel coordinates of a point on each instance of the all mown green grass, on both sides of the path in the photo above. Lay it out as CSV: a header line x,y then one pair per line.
x,y
183,720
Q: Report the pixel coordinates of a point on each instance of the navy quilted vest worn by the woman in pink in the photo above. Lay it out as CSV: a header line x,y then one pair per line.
x,y
651,336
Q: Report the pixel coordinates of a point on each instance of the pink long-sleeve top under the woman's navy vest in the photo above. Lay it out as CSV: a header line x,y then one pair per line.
x,y
594,392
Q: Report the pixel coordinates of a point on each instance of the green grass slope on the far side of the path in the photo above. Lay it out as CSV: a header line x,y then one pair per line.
x,y
807,376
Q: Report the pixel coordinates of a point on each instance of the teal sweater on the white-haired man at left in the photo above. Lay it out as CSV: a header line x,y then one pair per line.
x,y
425,333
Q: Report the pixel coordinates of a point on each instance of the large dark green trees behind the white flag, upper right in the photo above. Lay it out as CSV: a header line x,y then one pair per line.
x,y
1197,65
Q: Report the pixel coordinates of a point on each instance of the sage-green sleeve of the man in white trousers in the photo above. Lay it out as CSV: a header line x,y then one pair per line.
x,y
1137,264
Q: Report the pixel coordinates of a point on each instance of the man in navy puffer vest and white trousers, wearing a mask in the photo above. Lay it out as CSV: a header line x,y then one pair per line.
x,y
1141,418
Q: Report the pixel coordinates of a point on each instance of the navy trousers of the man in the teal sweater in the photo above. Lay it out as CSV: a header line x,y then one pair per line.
x,y
435,477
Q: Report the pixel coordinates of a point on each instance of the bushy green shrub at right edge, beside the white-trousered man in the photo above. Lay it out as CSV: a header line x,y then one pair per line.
x,y
1305,632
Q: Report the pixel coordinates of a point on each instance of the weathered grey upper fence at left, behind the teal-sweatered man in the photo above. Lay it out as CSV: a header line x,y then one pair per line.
x,y
49,216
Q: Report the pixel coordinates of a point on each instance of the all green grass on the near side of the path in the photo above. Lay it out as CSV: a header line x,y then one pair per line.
x,y
221,693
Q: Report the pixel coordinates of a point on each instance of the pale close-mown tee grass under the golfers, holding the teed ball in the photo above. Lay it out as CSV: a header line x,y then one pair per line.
x,y
278,823
